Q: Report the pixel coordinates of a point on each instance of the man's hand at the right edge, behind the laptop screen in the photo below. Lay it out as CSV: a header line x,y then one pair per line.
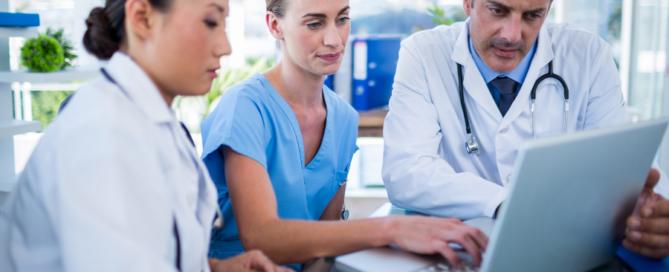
x,y
648,227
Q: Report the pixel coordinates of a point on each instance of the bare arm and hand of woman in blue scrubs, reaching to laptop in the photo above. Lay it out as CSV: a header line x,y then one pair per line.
x,y
297,241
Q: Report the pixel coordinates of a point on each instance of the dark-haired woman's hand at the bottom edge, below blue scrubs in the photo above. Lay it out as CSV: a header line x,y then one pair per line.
x,y
250,261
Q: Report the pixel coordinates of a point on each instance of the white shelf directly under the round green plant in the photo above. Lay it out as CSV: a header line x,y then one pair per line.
x,y
58,76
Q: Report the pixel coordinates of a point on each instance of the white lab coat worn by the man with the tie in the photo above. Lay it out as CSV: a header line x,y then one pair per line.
x,y
426,167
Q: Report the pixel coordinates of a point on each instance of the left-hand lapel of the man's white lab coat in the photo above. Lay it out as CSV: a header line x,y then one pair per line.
x,y
473,82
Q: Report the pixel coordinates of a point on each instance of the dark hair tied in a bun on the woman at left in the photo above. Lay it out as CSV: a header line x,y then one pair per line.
x,y
106,29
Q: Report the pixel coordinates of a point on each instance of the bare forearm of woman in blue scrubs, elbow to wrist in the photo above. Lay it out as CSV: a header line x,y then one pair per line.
x,y
297,241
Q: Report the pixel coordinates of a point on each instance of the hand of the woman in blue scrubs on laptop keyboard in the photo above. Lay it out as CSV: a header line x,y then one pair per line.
x,y
425,235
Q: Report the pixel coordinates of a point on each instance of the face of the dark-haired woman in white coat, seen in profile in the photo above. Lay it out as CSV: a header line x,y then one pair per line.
x,y
186,45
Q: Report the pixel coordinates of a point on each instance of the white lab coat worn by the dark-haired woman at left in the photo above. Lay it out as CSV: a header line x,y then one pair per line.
x,y
106,183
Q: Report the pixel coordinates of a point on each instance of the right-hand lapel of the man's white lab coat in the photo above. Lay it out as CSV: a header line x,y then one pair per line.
x,y
538,67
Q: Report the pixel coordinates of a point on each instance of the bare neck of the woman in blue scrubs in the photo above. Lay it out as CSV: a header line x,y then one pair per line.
x,y
297,86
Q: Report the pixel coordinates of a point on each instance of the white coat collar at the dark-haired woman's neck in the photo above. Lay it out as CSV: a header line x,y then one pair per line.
x,y
139,88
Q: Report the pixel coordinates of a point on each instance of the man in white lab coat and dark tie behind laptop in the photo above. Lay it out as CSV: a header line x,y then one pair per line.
x,y
503,48
